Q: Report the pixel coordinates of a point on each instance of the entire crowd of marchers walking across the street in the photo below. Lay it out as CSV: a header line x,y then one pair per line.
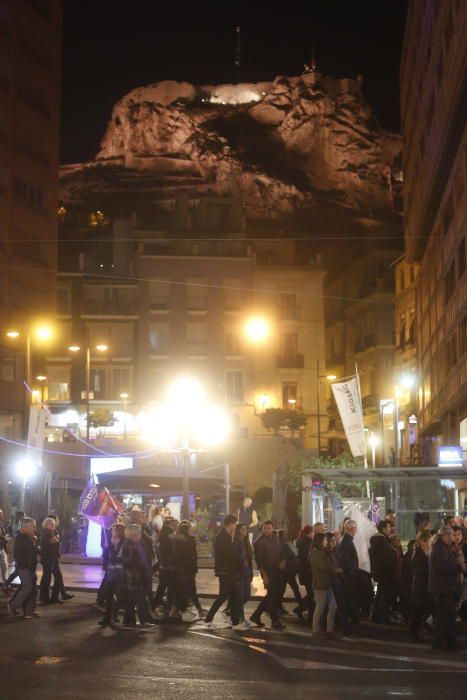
x,y
424,587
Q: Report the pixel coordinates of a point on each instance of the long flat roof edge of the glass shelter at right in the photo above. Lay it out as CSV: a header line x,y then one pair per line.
x,y
388,474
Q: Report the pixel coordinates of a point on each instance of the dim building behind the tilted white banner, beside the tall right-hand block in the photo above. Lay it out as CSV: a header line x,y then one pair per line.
x,y
359,310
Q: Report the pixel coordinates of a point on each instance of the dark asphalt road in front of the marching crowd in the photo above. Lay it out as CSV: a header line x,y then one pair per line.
x,y
65,655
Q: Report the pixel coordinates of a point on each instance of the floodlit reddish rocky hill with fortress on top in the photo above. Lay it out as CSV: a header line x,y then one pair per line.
x,y
288,147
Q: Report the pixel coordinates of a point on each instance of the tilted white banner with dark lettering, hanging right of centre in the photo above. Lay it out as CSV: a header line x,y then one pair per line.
x,y
349,403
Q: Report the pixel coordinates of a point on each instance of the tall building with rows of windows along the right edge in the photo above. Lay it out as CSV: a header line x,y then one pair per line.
x,y
434,105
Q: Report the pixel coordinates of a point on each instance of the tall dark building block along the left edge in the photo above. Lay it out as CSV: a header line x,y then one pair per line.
x,y
30,42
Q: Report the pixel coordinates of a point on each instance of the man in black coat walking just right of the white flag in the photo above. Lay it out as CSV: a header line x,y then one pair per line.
x,y
383,571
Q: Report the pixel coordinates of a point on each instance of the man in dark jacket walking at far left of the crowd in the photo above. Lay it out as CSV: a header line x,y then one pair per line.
x,y
25,553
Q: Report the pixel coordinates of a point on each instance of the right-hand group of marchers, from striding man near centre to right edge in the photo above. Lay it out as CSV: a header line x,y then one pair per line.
x,y
424,587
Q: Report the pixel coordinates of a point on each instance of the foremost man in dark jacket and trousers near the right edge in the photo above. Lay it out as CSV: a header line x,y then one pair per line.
x,y
444,584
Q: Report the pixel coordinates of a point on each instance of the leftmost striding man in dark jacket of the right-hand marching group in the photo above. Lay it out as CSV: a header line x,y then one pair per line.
x,y
227,569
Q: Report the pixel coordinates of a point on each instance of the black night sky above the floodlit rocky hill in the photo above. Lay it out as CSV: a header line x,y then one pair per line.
x,y
110,48
